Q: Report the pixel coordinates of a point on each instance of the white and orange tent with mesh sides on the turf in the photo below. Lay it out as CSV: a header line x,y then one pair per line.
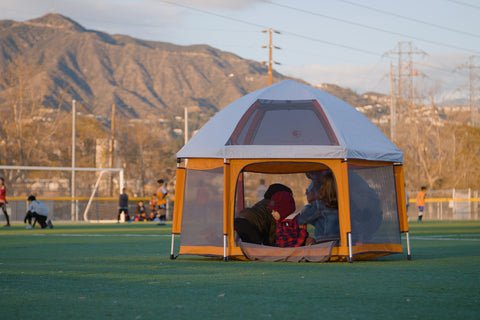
x,y
290,128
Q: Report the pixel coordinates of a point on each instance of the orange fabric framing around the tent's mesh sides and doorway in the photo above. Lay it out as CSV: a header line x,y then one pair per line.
x,y
232,169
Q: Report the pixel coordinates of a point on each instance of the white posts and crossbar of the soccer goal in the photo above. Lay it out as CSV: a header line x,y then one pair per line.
x,y
73,199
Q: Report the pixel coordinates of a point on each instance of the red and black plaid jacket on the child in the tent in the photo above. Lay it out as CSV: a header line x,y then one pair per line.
x,y
290,233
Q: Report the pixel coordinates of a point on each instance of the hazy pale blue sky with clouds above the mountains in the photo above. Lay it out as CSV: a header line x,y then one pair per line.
x,y
345,42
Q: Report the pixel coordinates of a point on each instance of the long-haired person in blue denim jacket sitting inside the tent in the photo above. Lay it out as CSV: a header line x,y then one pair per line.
x,y
322,210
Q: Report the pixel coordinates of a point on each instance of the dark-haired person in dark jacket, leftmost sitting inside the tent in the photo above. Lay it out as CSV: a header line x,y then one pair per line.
x,y
256,224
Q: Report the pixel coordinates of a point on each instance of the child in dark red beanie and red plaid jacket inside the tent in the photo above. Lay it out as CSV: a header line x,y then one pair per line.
x,y
288,232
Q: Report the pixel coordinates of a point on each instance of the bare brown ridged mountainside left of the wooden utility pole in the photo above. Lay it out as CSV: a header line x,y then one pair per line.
x,y
142,78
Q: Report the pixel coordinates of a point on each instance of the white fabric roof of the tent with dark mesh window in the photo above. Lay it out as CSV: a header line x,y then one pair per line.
x,y
355,137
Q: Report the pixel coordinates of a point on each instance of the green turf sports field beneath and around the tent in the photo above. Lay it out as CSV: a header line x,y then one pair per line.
x,y
96,271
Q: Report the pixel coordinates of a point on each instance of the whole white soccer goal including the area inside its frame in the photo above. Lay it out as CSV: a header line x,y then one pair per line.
x,y
71,194
